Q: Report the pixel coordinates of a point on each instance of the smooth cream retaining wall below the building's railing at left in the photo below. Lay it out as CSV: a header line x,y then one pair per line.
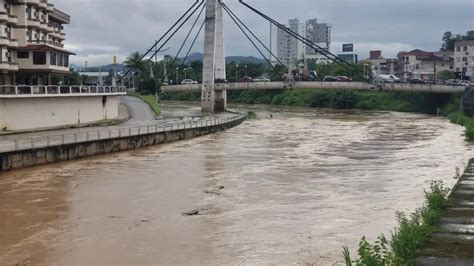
x,y
49,112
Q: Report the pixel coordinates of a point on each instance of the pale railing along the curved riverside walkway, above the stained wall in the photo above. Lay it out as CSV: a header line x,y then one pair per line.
x,y
108,133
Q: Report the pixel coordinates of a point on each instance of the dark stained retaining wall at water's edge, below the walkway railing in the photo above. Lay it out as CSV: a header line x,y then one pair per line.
x,y
28,158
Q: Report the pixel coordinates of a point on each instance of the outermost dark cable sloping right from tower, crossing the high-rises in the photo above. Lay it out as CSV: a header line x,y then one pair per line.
x,y
327,54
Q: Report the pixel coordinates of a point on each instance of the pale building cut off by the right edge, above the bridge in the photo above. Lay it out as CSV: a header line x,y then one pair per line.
x,y
464,59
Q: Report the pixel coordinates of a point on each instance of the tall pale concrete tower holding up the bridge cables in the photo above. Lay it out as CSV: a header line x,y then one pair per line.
x,y
214,59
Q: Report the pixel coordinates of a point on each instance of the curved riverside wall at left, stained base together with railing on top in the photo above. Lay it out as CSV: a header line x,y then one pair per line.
x,y
114,141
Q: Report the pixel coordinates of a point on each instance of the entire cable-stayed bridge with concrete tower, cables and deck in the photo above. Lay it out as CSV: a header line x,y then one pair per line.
x,y
213,94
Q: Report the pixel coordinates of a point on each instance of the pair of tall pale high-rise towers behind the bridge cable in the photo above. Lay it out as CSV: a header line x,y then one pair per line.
x,y
290,51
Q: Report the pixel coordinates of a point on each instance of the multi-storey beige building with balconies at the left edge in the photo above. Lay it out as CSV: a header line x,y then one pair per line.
x,y
32,43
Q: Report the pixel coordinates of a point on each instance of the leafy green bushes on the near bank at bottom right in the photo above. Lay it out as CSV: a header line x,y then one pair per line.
x,y
412,233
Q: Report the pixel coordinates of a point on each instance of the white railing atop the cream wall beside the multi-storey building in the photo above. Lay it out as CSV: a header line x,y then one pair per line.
x,y
39,90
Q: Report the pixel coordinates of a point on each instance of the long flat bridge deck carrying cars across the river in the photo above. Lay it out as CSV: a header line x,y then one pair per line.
x,y
320,85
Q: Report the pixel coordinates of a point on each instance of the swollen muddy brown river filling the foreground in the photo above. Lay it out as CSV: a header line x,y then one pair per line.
x,y
293,188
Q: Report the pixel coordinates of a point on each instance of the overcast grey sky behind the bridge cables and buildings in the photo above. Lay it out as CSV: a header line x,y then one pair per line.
x,y
100,29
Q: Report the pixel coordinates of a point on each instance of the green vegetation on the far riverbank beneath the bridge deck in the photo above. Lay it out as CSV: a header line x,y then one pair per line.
x,y
337,99
